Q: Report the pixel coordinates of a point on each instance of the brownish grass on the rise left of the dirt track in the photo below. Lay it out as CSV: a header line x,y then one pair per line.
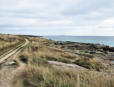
x,y
7,42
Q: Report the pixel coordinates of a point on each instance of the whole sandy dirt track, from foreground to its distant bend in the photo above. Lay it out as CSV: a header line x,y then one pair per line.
x,y
7,72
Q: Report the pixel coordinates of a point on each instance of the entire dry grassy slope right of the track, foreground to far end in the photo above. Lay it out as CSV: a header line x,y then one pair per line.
x,y
39,73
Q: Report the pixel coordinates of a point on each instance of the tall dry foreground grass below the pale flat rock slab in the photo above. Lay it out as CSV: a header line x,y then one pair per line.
x,y
39,73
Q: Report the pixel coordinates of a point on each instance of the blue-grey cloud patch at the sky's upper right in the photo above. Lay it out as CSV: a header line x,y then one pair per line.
x,y
87,6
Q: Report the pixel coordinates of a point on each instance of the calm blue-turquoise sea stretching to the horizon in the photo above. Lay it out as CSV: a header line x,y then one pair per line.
x,y
106,40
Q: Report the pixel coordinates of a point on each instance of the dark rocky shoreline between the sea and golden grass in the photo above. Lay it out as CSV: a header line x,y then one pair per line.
x,y
86,49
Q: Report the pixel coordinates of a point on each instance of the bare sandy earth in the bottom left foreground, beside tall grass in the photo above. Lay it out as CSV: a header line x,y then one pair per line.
x,y
7,71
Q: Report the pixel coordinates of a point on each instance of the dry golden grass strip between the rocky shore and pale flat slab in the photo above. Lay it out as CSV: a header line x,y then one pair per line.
x,y
49,53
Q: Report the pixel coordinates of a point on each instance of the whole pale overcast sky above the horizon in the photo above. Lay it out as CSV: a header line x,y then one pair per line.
x,y
57,17
